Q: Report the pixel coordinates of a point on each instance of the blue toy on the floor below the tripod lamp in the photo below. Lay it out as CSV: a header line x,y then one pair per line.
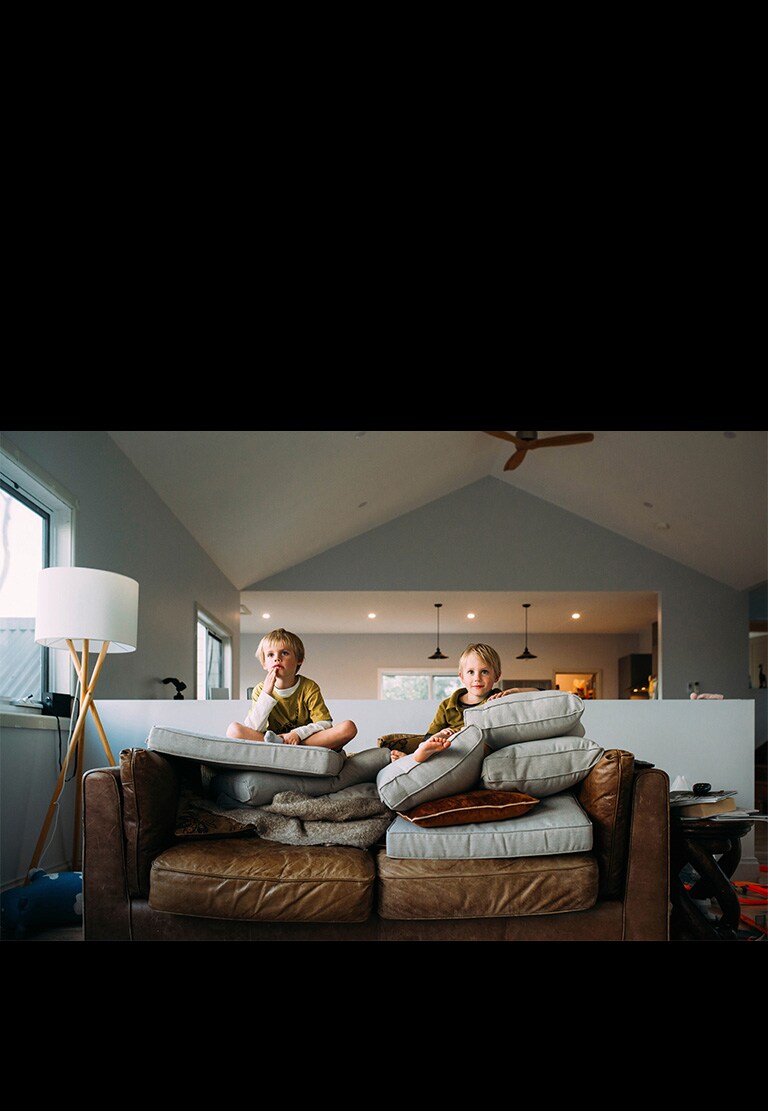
x,y
49,899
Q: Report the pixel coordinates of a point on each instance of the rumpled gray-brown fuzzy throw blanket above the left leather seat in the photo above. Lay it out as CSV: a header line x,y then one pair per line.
x,y
355,817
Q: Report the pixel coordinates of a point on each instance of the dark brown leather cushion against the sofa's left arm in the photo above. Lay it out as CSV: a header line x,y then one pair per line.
x,y
151,794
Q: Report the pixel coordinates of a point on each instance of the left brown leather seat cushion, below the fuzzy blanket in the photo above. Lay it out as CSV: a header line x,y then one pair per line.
x,y
264,882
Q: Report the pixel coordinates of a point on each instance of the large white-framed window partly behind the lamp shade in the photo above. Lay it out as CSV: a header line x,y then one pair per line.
x,y
37,523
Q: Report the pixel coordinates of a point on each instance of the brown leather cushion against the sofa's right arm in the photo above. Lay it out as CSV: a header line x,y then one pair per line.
x,y
606,796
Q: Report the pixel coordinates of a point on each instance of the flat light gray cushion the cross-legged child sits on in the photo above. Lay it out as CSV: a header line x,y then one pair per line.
x,y
293,759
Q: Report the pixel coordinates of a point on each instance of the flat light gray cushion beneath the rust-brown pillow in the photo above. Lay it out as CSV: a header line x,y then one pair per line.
x,y
555,826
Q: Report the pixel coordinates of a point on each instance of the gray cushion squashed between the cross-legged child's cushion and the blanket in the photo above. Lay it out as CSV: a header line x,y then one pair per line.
x,y
260,788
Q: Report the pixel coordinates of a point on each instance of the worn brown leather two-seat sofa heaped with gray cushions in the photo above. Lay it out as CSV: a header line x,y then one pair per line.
x,y
144,883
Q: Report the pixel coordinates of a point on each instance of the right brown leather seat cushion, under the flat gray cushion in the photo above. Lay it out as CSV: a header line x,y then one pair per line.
x,y
475,888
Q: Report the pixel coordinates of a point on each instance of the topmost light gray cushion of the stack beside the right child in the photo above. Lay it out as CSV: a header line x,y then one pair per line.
x,y
527,717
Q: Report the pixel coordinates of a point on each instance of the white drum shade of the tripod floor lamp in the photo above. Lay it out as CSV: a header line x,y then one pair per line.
x,y
79,604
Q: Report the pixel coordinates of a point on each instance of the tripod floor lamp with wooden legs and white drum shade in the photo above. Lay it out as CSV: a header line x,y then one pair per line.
x,y
85,612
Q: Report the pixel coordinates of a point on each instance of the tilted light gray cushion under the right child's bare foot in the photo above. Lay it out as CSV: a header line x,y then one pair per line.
x,y
405,784
